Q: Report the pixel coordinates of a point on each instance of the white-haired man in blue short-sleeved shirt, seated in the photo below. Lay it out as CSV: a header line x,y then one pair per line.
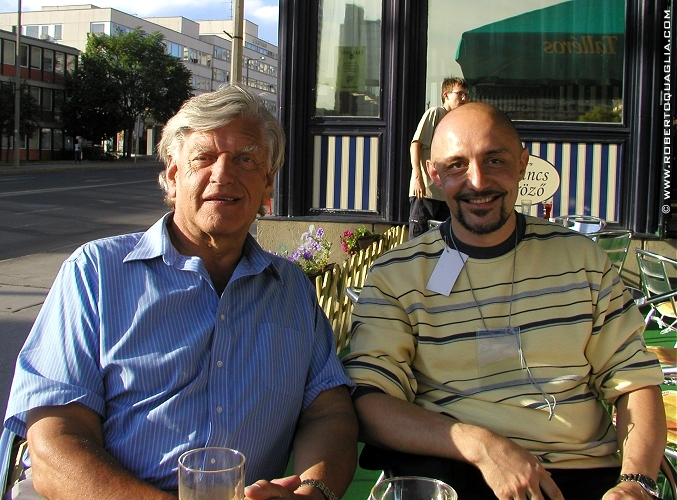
x,y
185,336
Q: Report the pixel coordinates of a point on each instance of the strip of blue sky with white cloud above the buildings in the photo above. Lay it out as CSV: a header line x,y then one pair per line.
x,y
264,13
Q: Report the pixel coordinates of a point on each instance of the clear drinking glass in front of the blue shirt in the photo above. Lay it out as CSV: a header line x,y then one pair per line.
x,y
211,474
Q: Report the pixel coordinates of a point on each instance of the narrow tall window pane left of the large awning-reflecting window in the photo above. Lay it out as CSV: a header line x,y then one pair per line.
x,y
349,58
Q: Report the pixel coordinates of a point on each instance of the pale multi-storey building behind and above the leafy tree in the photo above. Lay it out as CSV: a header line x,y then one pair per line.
x,y
204,47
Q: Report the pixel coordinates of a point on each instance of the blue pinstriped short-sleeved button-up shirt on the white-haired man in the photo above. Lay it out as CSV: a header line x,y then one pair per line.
x,y
136,332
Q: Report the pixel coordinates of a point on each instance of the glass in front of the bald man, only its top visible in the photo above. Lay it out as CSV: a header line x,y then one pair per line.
x,y
412,488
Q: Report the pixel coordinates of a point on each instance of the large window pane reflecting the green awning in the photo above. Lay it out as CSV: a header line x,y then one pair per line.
x,y
537,60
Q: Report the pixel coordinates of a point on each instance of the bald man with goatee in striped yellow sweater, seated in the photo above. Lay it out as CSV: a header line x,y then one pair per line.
x,y
484,351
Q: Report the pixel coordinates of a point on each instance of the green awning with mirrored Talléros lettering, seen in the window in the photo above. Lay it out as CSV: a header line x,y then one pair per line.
x,y
575,42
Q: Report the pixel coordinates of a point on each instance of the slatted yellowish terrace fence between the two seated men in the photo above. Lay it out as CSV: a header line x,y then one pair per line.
x,y
331,285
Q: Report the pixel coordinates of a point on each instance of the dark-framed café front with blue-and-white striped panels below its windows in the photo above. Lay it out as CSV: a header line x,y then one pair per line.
x,y
587,83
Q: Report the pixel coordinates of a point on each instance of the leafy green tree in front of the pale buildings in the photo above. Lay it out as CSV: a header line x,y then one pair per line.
x,y
121,77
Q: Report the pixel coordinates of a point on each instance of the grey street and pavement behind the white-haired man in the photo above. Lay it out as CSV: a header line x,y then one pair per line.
x,y
44,217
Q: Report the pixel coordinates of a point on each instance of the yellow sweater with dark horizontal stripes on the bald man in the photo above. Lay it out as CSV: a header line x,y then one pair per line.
x,y
580,333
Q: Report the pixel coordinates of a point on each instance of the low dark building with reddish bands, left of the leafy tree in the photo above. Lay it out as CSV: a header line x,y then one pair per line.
x,y
44,65
